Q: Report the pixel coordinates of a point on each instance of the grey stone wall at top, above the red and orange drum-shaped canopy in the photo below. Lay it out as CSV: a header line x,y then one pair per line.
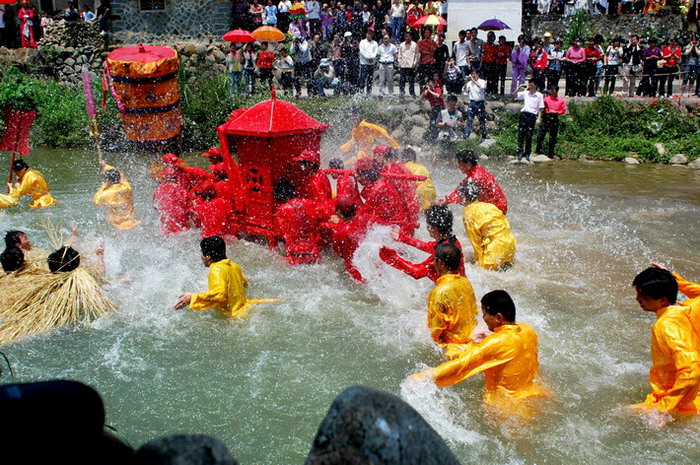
x,y
180,20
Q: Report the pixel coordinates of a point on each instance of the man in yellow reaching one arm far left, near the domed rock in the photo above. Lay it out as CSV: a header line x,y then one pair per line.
x,y
508,357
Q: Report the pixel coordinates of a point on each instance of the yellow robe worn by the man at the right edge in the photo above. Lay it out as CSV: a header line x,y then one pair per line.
x,y
675,362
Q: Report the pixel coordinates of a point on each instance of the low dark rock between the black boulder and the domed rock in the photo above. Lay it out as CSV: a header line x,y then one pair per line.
x,y
184,450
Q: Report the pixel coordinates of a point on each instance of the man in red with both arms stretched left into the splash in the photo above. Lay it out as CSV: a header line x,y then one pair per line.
x,y
439,220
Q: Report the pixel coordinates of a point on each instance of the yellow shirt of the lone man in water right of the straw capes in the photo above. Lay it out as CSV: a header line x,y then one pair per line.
x,y
227,290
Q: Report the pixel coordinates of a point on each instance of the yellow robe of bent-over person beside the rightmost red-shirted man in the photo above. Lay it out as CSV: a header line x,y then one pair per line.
x,y
489,232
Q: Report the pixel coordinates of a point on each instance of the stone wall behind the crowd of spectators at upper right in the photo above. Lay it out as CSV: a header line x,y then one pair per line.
x,y
623,25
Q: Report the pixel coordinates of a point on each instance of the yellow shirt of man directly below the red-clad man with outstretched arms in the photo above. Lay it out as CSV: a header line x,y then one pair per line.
x,y
452,310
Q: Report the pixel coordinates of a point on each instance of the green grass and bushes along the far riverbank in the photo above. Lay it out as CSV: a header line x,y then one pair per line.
x,y
605,129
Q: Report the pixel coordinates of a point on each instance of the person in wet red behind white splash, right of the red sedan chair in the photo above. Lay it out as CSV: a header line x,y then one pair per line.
x,y
382,198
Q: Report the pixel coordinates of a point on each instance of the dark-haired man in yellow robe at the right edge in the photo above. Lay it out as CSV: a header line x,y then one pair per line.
x,y
675,347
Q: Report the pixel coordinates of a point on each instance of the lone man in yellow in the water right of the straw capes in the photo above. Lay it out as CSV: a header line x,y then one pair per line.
x,y
227,284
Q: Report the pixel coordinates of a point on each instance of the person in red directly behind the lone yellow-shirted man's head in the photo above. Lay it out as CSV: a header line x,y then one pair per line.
x,y
211,212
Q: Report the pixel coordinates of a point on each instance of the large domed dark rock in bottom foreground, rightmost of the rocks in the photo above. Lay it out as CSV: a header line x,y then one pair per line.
x,y
366,426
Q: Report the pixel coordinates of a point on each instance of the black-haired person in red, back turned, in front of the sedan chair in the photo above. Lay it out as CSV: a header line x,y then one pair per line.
x,y
297,224
